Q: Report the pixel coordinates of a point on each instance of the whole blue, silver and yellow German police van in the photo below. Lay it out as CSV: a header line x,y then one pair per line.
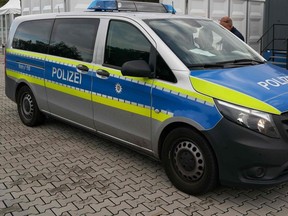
x,y
183,90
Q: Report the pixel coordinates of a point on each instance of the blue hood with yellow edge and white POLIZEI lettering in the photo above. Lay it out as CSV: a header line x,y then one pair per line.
x,y
262,87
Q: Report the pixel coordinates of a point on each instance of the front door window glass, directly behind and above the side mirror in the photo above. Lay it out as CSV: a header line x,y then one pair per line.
x,y
125,43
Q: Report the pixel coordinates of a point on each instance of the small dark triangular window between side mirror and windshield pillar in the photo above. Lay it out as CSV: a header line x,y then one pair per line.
x,y
163,71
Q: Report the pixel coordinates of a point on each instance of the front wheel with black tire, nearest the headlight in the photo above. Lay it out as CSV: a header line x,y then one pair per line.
x,y
189,161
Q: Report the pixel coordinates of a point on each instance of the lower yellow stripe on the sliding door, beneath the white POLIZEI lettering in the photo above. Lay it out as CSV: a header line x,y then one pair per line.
x,y
69,90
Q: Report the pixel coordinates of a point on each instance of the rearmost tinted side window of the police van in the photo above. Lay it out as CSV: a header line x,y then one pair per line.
x,y
33,36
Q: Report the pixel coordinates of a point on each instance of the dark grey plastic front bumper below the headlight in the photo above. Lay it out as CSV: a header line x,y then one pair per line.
x,y
246,157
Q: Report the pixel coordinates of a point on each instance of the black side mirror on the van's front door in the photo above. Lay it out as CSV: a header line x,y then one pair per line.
x,y
136,68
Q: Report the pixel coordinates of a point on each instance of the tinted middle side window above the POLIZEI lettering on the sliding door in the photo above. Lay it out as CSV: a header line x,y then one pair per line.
x,y
74,38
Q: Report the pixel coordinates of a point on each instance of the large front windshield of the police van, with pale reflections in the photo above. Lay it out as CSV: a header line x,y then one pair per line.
x,y
203,43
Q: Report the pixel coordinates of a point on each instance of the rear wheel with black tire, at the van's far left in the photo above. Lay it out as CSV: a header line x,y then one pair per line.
x,y
27,107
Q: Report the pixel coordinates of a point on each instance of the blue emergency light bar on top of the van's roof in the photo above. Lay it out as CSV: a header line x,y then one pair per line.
x,y
133,6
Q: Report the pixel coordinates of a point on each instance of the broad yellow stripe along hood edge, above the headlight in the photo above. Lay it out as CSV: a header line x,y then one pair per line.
x,y
232,96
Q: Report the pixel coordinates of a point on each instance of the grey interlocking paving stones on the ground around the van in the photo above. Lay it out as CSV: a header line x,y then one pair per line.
x,y
56,169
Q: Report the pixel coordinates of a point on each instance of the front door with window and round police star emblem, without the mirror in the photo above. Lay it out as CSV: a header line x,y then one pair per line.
x,y
122,105
